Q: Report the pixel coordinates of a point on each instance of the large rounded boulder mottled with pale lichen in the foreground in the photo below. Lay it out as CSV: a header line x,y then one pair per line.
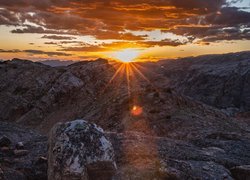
x,y
79,150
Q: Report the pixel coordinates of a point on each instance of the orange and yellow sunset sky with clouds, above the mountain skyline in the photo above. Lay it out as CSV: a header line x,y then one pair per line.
x,y
126,30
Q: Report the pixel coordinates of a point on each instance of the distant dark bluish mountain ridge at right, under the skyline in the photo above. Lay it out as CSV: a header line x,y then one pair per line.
x,y
222,81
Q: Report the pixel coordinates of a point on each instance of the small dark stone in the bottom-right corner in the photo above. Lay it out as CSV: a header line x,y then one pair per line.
x,y
241,172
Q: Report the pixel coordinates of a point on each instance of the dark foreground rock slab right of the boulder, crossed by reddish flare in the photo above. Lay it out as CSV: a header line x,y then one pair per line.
x,y
148,157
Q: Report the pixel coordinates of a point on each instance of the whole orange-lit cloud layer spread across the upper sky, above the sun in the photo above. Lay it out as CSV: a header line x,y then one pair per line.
x,y
198,20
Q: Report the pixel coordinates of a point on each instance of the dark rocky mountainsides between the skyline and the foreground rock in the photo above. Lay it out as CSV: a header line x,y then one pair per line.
x,y
39,96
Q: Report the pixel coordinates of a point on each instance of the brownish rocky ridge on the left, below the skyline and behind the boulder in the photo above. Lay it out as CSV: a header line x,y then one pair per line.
x,y
37,95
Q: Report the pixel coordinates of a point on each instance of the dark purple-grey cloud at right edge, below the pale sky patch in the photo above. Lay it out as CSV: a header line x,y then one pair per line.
x,y
227,24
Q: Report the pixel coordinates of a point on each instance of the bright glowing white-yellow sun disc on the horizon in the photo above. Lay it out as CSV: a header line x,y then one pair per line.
x,y
126,55
